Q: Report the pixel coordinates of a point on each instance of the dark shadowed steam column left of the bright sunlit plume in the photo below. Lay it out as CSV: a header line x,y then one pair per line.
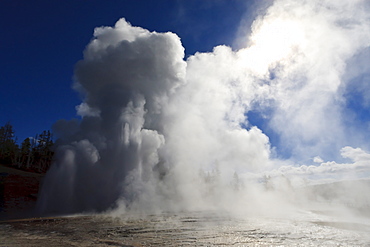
x,y
127,76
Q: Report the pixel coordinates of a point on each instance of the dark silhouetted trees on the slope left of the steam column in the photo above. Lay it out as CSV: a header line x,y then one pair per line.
x,y
33,154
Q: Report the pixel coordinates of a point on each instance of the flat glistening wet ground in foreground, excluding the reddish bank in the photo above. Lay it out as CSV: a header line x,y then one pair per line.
x,y
190,229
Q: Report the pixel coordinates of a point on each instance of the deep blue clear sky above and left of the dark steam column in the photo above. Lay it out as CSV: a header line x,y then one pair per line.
x,y
42,41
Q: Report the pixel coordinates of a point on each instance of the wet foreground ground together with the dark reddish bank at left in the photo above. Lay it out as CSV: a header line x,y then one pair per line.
x,y
304,228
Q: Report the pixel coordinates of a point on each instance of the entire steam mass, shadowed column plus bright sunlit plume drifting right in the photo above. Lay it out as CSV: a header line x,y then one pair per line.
x,y
162,133
